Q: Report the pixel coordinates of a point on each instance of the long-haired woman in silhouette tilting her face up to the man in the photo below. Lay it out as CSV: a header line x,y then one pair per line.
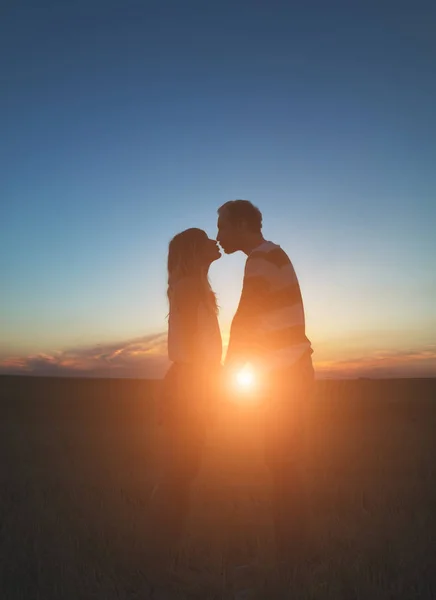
x,y
186,404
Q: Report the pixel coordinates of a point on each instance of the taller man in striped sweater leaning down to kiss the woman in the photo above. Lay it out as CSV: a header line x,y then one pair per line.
x,y
268,331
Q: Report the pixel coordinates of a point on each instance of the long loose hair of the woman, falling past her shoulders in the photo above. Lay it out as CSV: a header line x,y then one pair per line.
x,y
186,259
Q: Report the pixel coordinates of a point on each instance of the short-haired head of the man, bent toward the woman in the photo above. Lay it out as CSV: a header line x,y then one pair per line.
x,y
239,224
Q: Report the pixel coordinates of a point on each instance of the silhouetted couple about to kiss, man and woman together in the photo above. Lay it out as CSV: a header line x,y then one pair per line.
x,y
268,331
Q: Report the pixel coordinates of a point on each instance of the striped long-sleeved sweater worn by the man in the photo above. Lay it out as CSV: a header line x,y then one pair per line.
x,y
268,328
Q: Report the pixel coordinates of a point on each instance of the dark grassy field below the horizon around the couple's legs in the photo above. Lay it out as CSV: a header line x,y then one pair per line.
x,y
78,463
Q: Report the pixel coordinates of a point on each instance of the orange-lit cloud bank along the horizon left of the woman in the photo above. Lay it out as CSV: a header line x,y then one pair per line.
x,y
142,357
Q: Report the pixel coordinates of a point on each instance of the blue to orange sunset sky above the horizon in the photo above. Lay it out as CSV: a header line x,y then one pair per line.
x,y
123,123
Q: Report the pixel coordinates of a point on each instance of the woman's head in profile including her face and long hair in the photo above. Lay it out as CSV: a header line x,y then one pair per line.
x,y
190,253
